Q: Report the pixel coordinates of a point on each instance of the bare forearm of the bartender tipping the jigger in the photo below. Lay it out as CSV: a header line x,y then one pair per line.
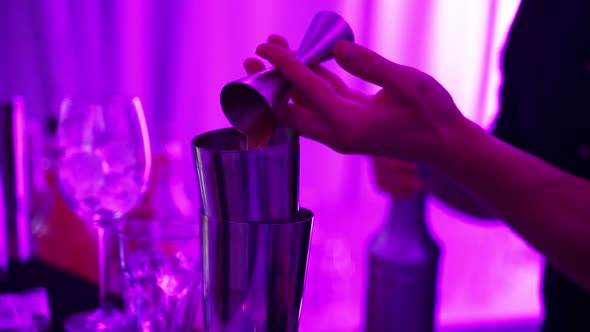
x,y
546,206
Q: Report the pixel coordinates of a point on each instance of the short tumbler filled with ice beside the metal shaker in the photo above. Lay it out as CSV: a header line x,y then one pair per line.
x,y
161,263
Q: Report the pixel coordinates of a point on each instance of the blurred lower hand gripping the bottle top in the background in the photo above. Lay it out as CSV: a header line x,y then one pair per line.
x,y
398,178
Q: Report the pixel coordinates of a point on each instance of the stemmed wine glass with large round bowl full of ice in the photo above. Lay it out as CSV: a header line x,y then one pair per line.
x,y
103,164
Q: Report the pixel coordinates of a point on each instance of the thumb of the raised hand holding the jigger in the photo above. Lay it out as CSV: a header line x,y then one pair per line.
x,y
372,67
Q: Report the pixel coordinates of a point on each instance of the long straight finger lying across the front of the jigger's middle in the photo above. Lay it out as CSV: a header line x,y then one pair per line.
x,y
315,90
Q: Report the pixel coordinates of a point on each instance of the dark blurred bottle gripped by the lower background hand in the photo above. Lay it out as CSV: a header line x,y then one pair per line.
x,y
403,270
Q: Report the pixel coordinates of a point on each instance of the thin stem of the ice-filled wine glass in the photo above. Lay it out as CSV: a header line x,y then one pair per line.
x,y
104,255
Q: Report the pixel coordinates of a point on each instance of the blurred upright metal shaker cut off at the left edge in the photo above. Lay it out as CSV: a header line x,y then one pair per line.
x,y
15,235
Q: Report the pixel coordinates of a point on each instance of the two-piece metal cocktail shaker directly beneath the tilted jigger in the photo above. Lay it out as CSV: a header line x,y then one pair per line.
x,y
255,237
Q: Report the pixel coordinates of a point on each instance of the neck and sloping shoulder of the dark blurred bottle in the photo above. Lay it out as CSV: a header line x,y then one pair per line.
x,y
407,215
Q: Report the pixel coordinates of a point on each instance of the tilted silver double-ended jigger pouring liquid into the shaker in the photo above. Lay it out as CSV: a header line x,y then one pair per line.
x,y
251,102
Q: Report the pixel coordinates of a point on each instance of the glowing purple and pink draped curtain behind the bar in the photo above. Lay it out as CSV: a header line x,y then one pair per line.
x,y
176,55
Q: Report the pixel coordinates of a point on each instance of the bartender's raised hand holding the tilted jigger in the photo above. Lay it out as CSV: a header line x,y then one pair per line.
x,y
411,117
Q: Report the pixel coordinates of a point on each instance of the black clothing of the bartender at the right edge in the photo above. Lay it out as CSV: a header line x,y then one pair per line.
x,y
545,110
